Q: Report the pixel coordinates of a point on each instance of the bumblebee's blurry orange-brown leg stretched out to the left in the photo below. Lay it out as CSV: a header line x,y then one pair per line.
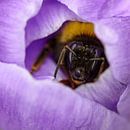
x,y
37,64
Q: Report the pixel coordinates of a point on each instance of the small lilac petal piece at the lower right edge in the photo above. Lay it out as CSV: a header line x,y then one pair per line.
x,y
124,104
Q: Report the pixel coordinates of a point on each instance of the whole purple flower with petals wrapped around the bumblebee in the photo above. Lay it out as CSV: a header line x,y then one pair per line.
x,y
39,103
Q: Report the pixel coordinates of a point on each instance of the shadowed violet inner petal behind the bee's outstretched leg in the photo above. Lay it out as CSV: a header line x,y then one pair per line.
x,y
47,68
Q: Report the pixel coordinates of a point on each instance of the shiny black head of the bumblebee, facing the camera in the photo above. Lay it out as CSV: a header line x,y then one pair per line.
x,y
82,63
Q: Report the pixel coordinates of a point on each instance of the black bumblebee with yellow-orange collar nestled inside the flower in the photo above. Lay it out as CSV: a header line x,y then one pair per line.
x,y
76,49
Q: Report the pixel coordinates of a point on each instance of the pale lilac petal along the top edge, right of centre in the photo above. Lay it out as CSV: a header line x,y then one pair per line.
x,y
92,10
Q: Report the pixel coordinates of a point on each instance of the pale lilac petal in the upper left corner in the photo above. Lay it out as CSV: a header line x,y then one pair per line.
x,y
13,17
